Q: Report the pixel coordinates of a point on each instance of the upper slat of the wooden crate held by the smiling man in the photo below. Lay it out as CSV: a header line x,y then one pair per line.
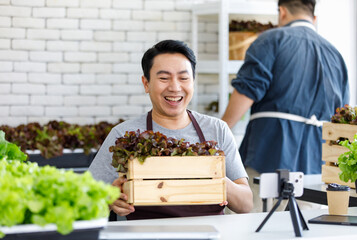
x,y
177,167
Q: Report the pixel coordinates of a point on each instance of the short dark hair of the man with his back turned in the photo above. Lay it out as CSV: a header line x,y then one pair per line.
x,y
298,6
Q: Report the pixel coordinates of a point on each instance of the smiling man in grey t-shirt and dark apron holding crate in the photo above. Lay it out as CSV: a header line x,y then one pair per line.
x,y
169,70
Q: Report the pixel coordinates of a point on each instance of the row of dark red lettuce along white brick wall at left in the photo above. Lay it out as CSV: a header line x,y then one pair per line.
x,y
53,137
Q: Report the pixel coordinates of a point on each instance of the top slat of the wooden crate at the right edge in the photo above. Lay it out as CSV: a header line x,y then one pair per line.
x,y
333,131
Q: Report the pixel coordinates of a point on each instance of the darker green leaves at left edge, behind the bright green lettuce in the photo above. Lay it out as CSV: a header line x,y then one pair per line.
x,y
10,151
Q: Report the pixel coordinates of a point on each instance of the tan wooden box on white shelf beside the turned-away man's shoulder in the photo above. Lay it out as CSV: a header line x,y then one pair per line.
x,y
239,43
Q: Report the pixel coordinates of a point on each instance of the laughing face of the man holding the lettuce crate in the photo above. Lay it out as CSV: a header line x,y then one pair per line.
x,y
171,84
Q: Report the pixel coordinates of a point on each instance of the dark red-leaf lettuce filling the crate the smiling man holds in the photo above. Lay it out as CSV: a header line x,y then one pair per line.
x,y
142,145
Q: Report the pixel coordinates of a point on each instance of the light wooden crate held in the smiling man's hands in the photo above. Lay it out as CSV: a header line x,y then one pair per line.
x,y
176,180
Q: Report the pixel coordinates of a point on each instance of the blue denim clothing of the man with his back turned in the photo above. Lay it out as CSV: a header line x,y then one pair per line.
x,y
291,70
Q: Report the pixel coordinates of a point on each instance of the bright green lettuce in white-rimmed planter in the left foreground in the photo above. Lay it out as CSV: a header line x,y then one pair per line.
x,y
46,202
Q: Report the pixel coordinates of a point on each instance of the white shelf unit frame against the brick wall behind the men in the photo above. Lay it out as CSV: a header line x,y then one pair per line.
x,y
223,10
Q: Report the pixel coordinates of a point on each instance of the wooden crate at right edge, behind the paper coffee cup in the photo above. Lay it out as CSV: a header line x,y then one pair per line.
x,y
331,152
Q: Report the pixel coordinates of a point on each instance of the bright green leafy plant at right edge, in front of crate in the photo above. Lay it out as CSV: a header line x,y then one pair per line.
x,y
347,162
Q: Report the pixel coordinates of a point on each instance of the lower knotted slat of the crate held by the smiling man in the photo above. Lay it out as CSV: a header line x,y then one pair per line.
x,y
176,192
